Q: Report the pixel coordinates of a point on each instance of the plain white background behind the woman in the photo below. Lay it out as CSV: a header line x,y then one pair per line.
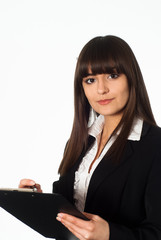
x,y
39,45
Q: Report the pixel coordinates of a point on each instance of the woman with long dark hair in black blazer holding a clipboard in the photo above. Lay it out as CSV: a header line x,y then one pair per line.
x,y
111,167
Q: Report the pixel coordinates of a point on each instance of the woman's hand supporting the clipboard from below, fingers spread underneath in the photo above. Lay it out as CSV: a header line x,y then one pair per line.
x,y
95,229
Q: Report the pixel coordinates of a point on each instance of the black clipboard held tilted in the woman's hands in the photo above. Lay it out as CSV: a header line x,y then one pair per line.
x,y
39,211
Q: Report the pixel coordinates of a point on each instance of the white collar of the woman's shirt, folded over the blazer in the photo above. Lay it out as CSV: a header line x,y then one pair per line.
x,y
135,133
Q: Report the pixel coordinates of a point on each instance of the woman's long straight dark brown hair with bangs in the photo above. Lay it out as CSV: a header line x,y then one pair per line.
x,y
103,54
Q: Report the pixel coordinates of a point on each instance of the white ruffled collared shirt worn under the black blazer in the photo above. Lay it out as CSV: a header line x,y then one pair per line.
x,y
82,175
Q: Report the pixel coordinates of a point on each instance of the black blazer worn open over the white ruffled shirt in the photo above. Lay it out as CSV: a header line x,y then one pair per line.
x,y
126,194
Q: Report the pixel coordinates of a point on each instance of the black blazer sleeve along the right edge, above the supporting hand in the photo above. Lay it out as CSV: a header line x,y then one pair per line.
x,y
149,228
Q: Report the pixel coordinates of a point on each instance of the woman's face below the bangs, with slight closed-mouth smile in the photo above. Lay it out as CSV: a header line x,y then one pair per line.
x,y
107,93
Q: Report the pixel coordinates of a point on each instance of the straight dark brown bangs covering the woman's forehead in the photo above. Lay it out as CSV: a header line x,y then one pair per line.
x,y
100,59
